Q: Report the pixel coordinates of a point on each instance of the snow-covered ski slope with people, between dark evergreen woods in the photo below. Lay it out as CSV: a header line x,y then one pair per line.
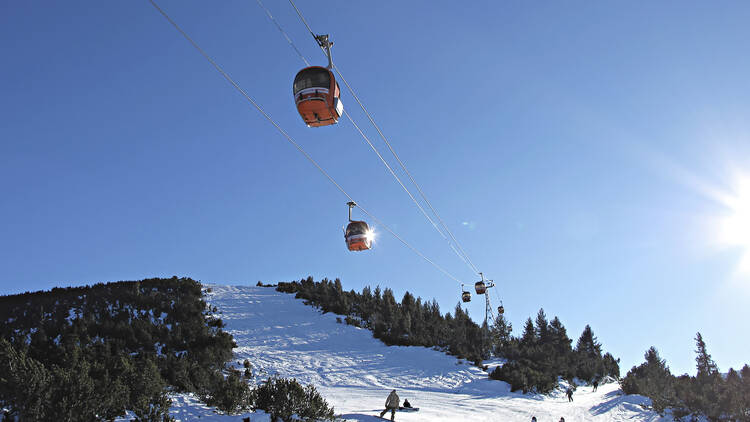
x,y
355,372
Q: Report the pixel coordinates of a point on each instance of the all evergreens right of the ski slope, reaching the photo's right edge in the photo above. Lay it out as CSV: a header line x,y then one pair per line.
x,y
543,353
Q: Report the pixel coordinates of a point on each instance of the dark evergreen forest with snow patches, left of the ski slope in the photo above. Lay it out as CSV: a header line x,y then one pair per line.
x,y
91,353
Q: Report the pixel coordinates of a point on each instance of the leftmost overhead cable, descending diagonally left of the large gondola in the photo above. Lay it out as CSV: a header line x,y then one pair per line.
x,y
292,141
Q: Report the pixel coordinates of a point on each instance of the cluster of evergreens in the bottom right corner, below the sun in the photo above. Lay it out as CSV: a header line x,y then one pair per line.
x,y
717,396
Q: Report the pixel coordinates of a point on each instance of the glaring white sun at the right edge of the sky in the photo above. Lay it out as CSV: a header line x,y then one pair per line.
x,y
734,226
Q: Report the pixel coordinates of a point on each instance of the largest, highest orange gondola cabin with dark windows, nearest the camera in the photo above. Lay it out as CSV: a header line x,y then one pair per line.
x,y
317,96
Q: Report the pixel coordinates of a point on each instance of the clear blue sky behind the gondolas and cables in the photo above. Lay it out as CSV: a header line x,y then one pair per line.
x,y
589,157
